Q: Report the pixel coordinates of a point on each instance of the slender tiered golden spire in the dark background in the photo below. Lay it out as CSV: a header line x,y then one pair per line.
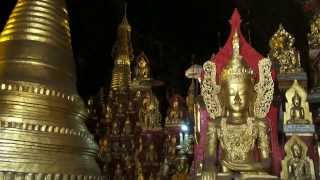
x,y
123,55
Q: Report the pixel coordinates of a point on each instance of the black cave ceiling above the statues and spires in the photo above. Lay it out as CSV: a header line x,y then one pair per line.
x,y
169,32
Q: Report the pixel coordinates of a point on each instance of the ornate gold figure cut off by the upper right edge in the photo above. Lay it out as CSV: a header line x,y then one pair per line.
x,y
314,35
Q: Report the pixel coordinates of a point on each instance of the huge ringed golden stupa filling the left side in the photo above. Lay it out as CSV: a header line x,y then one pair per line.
x,y
43,134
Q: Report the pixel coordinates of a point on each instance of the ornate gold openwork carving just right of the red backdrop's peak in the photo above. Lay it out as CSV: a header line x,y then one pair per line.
x,y
283,52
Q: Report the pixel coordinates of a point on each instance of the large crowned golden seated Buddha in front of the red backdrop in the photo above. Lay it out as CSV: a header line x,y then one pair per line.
x,y
241,137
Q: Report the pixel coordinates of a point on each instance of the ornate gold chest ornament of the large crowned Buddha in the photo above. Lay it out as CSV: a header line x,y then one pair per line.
x,y
237,141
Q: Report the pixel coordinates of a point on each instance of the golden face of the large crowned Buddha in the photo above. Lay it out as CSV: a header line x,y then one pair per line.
x,y
237,96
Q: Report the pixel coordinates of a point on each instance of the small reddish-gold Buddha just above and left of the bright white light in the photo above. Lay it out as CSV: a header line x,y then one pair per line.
x,y
175,112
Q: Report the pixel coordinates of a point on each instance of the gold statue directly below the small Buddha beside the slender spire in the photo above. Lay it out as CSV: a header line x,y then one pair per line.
x,y
149,114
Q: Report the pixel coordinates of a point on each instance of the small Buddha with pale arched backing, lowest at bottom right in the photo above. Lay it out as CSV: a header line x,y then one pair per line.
x,y
296,164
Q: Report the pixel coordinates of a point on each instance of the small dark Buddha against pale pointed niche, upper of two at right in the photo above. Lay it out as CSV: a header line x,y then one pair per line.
x,y
297,107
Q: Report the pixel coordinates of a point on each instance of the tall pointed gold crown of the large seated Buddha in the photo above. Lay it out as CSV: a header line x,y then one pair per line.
x,y
236,69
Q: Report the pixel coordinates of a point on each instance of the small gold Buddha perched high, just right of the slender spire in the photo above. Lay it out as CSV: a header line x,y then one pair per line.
x,y
142,69
